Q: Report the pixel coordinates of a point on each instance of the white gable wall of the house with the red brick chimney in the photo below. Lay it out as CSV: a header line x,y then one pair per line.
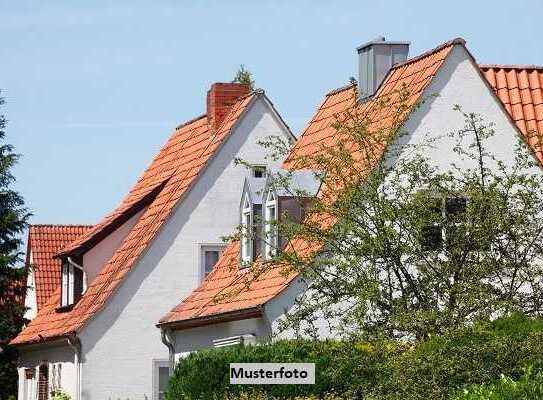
x,y
120,343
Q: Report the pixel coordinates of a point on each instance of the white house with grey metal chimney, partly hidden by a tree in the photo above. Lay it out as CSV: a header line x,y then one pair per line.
x,y
230,306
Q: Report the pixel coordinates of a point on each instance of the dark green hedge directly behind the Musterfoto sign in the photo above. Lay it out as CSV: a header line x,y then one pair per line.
x,y
205,375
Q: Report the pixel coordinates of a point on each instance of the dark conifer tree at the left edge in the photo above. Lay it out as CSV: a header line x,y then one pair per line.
x,y
13,221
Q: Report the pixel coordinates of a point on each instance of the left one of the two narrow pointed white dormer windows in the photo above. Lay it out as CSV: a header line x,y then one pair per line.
x,y
250,218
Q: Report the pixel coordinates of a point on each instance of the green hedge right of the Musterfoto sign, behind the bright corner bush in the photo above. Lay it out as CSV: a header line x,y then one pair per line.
x,y
435,369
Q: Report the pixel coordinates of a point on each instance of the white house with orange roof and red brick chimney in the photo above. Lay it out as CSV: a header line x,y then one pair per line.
x,y
95,337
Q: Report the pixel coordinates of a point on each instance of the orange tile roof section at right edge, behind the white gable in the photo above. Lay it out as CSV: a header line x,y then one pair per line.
x,y
520,88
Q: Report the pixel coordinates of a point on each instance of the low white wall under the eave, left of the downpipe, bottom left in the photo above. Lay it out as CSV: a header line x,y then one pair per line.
x,y
62,354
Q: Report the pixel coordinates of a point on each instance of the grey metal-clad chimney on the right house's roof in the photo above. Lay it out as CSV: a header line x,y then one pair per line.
x,y
375,59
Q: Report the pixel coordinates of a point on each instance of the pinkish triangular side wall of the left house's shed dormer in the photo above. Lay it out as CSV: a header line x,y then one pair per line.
x,y
95,258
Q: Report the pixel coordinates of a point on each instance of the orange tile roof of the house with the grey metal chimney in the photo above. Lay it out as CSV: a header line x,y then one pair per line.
x,y
229,289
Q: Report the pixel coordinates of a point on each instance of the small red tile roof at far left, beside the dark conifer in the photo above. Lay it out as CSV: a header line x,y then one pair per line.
x,y
44,241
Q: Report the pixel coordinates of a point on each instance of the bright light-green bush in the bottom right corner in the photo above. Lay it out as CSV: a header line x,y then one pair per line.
x,y
529,387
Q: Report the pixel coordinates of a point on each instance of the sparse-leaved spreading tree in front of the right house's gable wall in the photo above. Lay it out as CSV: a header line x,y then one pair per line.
x,y
395,247
